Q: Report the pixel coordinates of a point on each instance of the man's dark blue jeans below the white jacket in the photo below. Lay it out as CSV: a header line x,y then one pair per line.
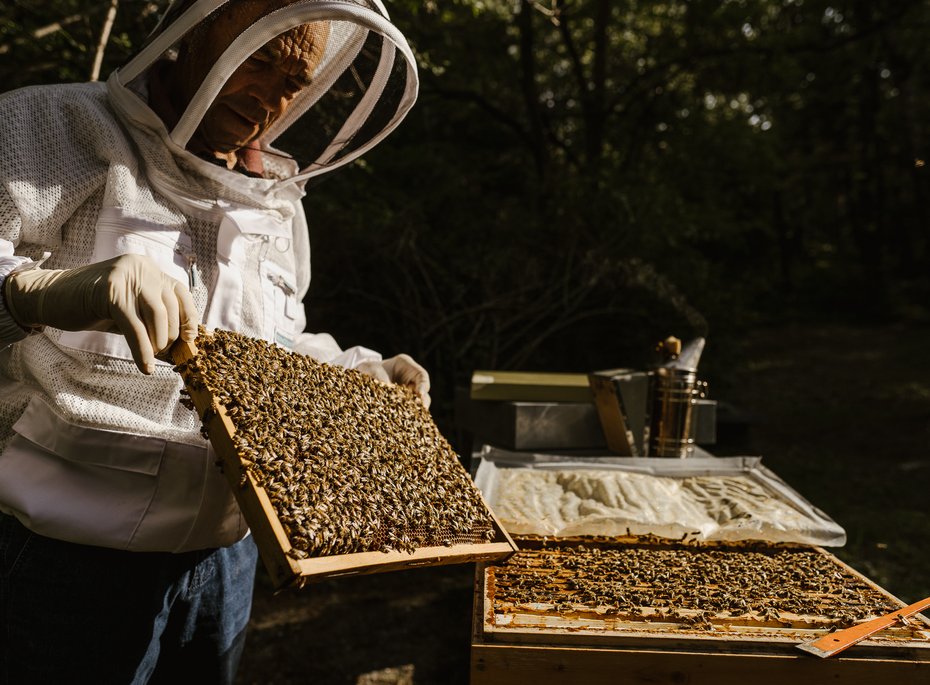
x,y
78,614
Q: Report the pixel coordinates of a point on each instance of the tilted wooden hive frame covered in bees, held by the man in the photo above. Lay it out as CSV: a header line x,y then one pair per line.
x,y
335,472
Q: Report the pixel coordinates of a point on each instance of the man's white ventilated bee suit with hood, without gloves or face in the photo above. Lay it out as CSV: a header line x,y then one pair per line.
x,y
93,451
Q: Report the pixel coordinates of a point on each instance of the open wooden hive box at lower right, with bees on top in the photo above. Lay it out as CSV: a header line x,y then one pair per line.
x,y
645,609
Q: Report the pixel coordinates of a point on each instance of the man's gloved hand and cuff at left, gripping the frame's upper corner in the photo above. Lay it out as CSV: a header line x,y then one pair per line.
x,y
129,294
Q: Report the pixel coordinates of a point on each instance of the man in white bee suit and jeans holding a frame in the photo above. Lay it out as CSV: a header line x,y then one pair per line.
x,y
131,212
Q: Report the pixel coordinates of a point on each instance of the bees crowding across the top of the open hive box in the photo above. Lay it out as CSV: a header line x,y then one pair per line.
x,y
695,584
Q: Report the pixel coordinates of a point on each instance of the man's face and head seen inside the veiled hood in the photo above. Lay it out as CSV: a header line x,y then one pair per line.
x,y
260,90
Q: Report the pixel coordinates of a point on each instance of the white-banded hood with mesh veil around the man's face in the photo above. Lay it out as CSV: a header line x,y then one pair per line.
x,y
362,88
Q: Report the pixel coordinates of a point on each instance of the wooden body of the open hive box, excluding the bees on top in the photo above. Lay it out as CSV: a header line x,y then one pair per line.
x,y
575,641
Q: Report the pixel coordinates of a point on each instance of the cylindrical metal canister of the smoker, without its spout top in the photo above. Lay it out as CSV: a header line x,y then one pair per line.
x,y
672,426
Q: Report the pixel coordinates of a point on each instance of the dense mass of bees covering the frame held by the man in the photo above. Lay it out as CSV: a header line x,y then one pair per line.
x,y
349,463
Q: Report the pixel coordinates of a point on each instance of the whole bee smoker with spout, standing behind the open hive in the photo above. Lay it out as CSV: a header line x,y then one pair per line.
x,y
674,392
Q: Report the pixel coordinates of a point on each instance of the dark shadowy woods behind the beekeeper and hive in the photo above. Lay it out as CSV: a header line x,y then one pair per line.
x,y
581,178
